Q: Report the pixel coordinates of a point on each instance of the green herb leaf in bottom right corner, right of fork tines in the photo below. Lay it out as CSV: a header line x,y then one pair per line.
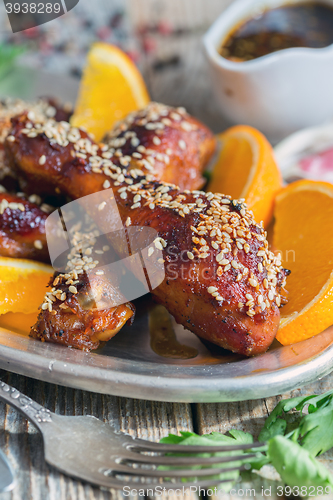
x,y
296,466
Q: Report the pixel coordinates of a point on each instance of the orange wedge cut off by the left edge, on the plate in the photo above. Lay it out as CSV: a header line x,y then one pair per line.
x,y
22,285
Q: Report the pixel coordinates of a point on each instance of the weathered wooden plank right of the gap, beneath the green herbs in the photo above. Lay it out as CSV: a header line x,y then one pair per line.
x,y
249,416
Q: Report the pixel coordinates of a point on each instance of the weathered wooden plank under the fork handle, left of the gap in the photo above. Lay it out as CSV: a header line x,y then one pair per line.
x,y
23,444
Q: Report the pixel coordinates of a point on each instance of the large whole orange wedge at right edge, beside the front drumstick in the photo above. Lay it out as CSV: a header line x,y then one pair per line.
x,y
303,233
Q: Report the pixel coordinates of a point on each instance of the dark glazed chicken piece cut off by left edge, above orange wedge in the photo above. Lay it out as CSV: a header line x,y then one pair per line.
x,y
22,229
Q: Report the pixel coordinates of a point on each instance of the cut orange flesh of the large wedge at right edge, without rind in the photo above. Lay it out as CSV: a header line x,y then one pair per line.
x,y
306,245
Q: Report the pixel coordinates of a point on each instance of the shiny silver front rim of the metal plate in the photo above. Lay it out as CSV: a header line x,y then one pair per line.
x,y
122,382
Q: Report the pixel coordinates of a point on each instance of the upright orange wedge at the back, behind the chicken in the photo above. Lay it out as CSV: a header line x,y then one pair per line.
x,y
111,87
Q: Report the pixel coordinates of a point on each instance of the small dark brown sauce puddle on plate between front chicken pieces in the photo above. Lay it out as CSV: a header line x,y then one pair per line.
x,y
163,340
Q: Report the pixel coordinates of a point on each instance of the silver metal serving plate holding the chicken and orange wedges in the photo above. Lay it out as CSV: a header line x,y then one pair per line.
x,y
127,366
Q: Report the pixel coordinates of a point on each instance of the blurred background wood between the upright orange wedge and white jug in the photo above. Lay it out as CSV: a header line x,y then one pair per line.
x,y
186,83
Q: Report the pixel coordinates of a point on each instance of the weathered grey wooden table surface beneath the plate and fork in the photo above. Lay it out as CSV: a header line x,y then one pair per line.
x,y
184,82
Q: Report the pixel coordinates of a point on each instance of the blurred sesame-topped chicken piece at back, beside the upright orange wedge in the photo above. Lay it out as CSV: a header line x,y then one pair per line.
x,y
180,150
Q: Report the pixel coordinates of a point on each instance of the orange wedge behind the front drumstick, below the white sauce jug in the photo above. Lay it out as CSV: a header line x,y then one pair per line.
x,y
246,168
